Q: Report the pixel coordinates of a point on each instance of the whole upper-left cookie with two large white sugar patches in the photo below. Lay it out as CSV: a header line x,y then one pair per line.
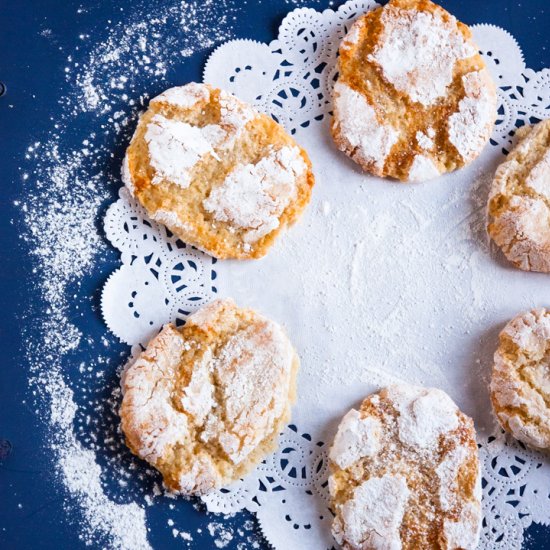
x,y
217,173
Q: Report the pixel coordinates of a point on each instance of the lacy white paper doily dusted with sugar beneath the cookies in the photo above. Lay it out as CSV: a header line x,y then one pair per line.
x,y
379,282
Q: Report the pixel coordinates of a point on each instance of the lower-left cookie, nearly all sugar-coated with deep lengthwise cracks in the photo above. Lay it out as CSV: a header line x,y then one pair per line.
x,y
205,403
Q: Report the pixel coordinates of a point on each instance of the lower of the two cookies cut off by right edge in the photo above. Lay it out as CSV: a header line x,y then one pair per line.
x,y
520,383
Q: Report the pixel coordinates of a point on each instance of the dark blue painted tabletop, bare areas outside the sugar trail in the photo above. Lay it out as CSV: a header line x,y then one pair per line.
x,y
31,67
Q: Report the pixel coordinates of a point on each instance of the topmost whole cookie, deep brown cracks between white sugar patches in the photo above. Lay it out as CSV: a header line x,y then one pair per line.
x,y
413,98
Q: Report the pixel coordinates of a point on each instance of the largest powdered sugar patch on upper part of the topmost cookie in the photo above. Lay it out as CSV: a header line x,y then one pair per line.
x,y
417,52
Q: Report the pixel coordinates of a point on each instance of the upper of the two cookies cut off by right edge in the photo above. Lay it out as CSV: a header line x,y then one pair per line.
x,y
519,207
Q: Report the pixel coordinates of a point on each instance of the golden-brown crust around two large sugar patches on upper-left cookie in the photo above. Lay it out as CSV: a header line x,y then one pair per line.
x,y
250,137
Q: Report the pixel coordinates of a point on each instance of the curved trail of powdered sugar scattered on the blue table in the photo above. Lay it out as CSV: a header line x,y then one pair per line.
x,y
65,190
